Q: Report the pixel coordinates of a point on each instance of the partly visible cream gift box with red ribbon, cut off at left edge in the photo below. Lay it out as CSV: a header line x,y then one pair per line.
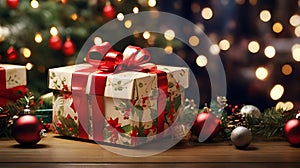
x,y
12,83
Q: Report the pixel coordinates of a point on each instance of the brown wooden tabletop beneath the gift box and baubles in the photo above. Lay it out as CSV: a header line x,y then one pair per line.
x,y
55,151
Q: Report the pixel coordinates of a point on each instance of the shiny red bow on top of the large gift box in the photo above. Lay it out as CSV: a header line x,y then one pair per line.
x,y
133,58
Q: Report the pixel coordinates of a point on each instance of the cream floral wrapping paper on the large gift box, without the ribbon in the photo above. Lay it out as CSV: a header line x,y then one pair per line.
x,y
130,105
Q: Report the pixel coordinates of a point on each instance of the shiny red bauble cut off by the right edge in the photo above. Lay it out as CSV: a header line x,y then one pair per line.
x,y
292,131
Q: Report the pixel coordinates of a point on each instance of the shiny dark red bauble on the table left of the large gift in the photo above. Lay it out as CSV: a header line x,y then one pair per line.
x,y
27,130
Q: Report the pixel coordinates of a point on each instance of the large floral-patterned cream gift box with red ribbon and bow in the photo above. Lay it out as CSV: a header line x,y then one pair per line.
x,y
125,106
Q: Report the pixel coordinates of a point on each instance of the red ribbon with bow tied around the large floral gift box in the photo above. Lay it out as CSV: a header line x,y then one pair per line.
x,y
133,58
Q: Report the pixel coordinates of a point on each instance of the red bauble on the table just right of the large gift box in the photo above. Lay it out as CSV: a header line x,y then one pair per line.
x,y
206,126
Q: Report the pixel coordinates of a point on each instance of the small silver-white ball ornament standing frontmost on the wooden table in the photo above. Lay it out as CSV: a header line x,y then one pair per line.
x,y
241,137
